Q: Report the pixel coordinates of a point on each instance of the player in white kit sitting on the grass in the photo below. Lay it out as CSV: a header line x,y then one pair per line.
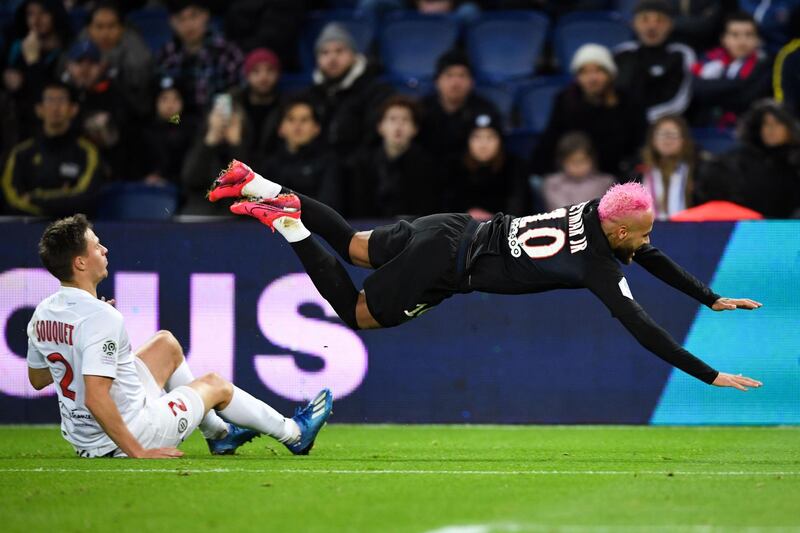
x,y
110,398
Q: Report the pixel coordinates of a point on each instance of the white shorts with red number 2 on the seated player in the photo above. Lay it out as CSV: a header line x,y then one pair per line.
x,y
167,419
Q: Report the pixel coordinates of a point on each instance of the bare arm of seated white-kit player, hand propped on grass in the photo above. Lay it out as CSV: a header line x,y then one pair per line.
x,y
104,410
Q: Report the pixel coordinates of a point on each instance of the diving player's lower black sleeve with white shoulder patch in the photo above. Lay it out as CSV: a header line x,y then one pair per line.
x,y
612,289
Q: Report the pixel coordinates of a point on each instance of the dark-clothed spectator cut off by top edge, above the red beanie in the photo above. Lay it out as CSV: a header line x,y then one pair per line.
x,y
276,25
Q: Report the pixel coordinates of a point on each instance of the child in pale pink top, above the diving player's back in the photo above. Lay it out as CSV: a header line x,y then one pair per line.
x,y
578,179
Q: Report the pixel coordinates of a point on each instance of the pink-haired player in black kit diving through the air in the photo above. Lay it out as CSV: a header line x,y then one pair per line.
x,y
421,263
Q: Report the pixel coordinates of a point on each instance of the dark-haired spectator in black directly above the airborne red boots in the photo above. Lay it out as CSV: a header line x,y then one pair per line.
x,y
304,163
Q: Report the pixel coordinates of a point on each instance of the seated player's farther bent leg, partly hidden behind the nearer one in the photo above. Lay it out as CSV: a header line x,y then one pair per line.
x,y
163,356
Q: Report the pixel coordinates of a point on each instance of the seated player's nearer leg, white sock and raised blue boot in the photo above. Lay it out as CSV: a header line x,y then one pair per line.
x,y
241,408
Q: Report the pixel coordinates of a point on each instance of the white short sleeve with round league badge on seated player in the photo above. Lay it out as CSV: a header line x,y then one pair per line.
x,y
99,344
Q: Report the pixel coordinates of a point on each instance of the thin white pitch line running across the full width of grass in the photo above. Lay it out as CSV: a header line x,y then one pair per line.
x,y
401,472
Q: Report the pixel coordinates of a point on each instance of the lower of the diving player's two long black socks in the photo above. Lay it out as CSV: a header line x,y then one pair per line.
x,y
329,277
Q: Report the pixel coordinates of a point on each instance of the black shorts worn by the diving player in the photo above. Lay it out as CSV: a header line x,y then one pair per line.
x,y
418,265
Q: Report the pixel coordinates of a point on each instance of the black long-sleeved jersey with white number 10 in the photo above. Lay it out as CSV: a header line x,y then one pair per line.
x,y
567,249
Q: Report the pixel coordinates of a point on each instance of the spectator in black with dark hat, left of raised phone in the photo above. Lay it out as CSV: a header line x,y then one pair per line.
x,y
168,137
